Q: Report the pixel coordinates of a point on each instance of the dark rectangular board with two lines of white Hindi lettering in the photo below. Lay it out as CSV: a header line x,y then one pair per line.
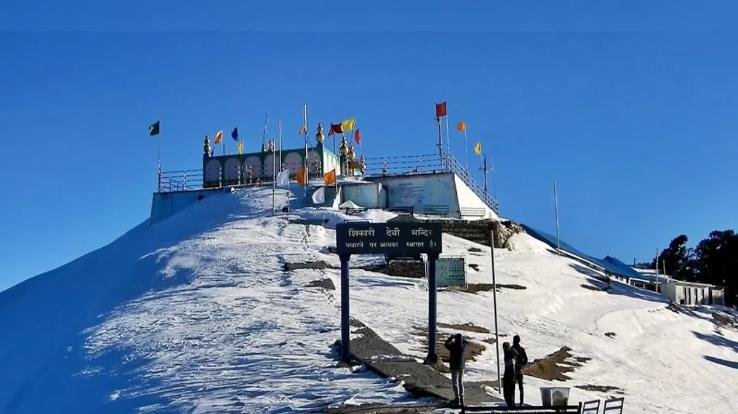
x,y
406,239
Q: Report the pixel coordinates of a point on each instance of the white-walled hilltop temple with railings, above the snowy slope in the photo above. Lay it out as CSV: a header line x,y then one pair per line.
x,y
427,185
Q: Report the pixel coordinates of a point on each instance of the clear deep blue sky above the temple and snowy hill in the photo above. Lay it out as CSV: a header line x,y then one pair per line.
x,y
631,107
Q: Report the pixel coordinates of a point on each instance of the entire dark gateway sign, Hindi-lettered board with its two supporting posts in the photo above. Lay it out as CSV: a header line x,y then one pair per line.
x,y
398,239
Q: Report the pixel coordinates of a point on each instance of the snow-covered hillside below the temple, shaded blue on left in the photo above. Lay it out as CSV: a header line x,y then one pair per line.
x,y
196,314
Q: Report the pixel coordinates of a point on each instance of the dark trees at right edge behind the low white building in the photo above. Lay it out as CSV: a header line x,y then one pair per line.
x,y
713,260
